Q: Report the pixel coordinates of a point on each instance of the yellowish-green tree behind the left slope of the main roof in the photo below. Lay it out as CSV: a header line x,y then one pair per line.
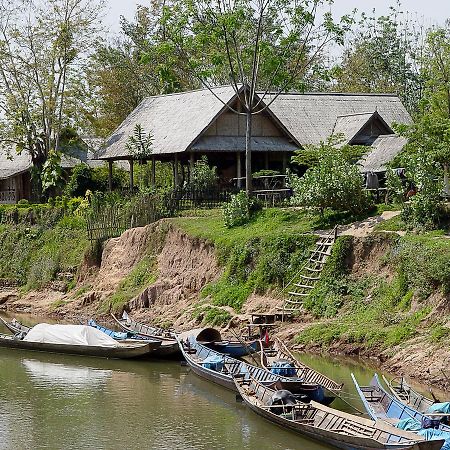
x,y
124,71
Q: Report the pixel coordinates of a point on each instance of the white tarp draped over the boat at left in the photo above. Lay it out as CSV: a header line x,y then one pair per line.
x,y
69,335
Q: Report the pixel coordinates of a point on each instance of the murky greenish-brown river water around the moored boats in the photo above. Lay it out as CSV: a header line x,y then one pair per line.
x,y
50,401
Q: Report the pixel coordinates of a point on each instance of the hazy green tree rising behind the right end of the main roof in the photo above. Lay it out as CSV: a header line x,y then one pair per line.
x,y
384,55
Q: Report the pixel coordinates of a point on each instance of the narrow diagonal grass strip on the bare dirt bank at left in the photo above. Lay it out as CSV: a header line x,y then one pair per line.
x,y
141,276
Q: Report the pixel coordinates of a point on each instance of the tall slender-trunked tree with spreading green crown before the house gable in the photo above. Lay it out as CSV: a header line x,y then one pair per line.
x,y
264,45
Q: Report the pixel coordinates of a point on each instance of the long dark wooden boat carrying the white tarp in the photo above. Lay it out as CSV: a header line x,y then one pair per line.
x,y
122,351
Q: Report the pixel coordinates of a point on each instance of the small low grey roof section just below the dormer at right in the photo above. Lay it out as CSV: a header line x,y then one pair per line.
x,y
384,150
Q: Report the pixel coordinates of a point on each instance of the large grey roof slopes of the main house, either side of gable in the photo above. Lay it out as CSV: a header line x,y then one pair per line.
x,y
178,121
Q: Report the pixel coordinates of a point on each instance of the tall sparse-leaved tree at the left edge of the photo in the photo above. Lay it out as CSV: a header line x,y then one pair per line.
x,y
42,46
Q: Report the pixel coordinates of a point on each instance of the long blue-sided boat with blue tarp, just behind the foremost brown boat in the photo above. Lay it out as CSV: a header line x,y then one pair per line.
x,y
220,369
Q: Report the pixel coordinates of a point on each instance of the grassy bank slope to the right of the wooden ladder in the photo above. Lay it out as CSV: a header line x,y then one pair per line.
x,y
373,312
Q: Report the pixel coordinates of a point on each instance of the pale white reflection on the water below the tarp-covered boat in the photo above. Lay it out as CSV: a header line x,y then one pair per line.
x,y
71,378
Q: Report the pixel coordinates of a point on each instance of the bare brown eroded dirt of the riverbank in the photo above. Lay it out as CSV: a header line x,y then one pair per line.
x,y
183,265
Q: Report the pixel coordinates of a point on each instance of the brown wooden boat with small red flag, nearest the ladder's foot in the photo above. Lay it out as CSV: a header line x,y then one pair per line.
x,y
279,359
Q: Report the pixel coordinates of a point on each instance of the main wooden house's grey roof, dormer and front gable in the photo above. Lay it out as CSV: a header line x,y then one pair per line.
x,y
187,125
